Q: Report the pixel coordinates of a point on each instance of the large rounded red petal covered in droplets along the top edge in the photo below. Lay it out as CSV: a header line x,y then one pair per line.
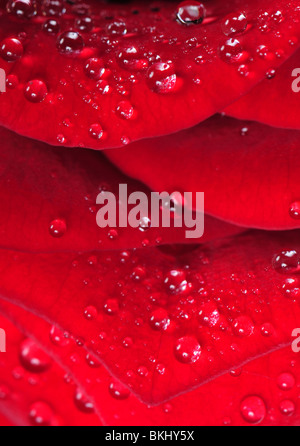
x,y
101,75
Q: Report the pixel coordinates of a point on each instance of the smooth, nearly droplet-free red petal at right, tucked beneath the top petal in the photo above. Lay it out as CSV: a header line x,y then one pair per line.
x,y
249,172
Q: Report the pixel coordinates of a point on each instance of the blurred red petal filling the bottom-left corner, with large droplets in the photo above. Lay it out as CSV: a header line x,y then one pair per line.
x,y
27,396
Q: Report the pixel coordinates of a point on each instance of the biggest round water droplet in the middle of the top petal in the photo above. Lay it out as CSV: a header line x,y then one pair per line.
x,y
161,78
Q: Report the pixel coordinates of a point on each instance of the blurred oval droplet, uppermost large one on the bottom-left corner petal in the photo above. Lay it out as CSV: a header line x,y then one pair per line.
x,y
33,358
